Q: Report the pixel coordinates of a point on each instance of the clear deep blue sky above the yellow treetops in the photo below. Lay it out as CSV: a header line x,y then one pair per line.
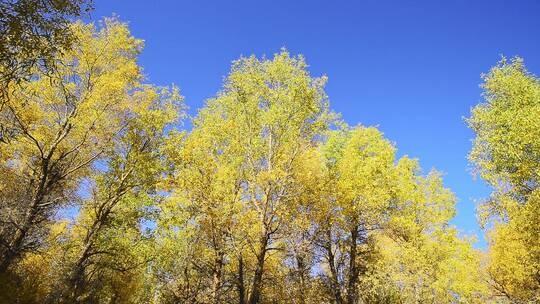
x,y
410,67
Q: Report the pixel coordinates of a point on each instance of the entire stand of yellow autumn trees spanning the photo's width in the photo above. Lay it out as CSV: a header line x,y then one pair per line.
x,y
269,198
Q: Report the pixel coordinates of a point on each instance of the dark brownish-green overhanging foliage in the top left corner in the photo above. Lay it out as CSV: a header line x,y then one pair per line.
x,y
33,31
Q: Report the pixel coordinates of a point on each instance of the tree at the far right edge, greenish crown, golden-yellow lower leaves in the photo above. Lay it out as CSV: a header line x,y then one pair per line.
x,y
506,153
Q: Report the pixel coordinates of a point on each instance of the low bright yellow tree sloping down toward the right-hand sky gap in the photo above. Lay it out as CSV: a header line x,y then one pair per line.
x,y
420,258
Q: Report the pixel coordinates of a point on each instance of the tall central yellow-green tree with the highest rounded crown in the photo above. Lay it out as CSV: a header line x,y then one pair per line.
x,y
241,157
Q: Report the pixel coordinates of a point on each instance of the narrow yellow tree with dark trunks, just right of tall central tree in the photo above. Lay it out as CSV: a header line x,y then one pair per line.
x,y
360,189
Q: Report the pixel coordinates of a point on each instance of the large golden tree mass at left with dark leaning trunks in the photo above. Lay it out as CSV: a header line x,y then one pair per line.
x,y
93,135
